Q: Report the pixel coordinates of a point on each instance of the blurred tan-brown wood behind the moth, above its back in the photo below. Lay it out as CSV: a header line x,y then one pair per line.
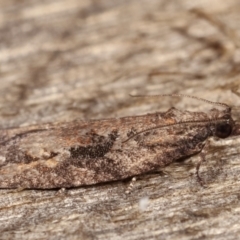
x,y
62,60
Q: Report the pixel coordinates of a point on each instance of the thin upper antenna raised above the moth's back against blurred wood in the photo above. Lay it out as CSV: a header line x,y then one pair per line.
x,y
187,96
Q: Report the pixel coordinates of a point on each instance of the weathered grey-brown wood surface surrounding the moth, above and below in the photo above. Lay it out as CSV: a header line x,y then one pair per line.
x,y
68,59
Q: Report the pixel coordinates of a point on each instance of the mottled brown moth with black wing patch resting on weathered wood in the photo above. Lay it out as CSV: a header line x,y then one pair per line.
x,y
71,154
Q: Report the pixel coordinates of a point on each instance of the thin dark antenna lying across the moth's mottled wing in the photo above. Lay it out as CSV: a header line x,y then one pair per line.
x,y
173,124
